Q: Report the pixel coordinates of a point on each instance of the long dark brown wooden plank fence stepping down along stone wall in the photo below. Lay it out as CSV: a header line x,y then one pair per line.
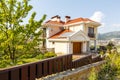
x,y
43,68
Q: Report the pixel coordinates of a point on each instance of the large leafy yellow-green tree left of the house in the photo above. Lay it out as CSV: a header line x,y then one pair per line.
x,y
17,38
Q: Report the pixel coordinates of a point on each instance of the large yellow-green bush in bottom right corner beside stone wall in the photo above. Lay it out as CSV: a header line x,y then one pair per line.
x,y
109,71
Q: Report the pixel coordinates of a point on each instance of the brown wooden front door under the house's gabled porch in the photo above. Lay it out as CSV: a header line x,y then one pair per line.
x,y
77,47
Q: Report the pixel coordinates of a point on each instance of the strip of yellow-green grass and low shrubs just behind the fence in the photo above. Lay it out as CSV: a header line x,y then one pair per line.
x,y
6,63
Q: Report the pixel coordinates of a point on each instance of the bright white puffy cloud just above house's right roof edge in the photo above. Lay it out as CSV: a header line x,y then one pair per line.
x,y
97,16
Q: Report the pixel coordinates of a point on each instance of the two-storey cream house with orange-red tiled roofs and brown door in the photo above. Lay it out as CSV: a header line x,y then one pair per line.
x,y
71,35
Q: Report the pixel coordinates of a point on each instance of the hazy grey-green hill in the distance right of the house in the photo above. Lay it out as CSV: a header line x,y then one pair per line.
x,y
109,35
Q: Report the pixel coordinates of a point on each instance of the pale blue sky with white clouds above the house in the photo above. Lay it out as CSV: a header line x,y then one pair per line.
x,y
107,12
